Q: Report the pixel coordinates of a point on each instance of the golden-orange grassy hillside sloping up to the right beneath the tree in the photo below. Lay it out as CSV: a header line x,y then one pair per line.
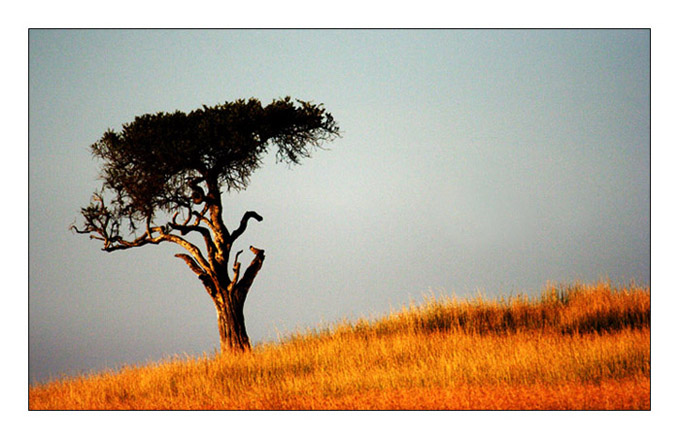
x,y
576,347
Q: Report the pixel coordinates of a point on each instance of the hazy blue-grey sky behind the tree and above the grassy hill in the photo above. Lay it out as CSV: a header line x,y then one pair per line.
x,y
470,160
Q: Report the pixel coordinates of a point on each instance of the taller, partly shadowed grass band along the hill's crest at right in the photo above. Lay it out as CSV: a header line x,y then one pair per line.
x,y
569,309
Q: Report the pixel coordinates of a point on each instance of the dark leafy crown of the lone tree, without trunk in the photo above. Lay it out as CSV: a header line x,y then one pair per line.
x,y
151,163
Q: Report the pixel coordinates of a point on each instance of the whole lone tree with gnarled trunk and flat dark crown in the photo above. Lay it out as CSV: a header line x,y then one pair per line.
x,y
163,177
